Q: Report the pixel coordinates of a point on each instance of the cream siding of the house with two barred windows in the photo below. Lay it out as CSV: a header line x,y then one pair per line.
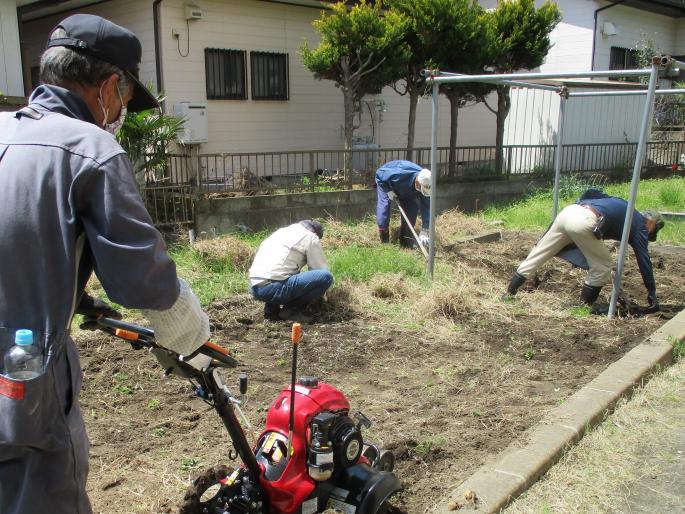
x,y
313,116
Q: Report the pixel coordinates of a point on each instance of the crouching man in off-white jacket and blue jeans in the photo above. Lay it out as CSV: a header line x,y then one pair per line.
x,y
275,276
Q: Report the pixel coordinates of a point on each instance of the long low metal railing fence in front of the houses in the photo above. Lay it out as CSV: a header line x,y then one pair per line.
x,y
170,188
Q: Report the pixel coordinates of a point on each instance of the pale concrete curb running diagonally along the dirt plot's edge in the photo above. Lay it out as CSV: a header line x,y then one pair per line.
x,y
517,467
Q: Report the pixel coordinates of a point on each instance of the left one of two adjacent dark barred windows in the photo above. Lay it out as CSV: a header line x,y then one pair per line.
x,y
225,74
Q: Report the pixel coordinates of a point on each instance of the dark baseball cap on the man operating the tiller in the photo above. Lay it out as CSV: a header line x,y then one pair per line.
x,y
111,43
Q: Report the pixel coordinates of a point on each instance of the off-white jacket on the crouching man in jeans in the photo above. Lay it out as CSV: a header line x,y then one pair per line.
x,y
285,252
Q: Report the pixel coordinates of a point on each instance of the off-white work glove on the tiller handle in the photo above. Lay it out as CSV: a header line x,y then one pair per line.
x,y
184,327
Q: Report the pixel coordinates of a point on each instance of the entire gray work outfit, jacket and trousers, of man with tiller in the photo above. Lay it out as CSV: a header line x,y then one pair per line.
x,y
69,206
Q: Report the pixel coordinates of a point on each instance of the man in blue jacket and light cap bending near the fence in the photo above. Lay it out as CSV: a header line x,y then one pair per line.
x,y
409,185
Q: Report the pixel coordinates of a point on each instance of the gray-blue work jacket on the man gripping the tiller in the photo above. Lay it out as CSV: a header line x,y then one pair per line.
x,y
70,205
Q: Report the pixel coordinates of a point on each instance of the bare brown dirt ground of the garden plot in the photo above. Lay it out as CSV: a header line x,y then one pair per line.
x,y
443,396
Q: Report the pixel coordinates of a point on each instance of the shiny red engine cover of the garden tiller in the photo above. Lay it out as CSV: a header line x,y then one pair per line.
x,y
295,485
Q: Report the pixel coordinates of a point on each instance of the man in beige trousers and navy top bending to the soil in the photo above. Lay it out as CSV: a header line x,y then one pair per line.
x,y
596,216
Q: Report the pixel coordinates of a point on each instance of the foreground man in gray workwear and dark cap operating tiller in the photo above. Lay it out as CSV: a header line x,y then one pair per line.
x,y
70,206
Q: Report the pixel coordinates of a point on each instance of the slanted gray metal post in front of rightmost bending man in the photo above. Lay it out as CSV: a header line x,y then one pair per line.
x,y
646,119
